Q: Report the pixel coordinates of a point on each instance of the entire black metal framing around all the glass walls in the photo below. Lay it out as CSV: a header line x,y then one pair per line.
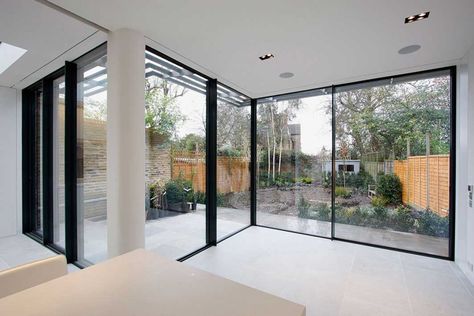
x,y
69,70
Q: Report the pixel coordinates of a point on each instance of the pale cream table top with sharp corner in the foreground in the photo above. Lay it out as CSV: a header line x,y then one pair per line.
x,y
143,283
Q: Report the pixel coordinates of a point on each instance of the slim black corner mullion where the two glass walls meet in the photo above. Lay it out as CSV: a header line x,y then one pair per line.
x,y
253,162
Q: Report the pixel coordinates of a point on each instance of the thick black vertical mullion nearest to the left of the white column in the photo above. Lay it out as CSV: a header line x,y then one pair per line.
x,y
70,145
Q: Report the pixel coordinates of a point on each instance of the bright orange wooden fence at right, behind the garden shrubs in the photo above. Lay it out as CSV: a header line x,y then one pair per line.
x,y
425,182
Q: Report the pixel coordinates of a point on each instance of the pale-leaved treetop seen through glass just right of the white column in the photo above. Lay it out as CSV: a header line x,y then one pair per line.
x,y
161,113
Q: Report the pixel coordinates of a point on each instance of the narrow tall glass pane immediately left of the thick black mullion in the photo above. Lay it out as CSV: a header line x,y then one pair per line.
x,y
58,161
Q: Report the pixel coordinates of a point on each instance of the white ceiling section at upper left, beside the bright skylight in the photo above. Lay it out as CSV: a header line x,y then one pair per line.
x,y
49,36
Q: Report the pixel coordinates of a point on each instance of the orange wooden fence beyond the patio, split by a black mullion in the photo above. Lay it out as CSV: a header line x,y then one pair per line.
x,y
233,173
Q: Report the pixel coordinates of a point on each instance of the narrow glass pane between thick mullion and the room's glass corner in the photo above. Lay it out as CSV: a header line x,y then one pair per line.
x,y
233,161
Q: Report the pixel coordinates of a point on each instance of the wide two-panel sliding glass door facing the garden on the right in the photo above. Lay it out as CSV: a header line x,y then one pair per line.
x,y
389,181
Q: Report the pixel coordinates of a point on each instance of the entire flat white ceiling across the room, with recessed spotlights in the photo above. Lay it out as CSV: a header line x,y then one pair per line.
x,y
321,42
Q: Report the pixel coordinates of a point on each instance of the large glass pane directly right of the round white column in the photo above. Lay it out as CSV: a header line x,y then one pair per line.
x,y
175,122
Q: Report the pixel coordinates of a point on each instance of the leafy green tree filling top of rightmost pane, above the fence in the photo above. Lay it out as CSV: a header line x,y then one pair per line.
x,y
382,119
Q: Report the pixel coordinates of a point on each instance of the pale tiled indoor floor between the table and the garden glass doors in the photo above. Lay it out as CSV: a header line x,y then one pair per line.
x,y
338,278
